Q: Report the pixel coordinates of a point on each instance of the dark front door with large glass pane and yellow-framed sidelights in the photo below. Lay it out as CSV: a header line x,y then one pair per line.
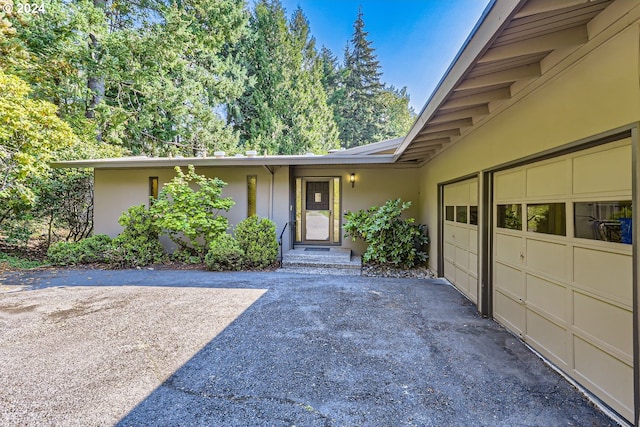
x,y
318,210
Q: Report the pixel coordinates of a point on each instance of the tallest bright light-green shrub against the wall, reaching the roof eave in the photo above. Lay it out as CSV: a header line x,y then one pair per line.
x,y
189,216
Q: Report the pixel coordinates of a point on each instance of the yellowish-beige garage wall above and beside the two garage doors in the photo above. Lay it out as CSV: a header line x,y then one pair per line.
x,y
597,94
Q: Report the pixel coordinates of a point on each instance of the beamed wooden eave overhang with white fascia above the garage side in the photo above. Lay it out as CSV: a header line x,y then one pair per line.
x,y
511,54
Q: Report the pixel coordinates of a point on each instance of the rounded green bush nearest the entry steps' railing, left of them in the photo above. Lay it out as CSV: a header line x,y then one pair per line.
x,y
257,238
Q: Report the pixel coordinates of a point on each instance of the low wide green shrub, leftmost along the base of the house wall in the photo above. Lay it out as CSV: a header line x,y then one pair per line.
x,y
92,249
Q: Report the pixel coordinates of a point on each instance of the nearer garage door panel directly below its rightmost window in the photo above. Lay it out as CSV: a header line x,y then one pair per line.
x,y
595,269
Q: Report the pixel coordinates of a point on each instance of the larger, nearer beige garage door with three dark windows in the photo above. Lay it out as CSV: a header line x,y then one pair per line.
x,y
562,276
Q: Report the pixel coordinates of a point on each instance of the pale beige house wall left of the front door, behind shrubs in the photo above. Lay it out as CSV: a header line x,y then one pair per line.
x,y
118,189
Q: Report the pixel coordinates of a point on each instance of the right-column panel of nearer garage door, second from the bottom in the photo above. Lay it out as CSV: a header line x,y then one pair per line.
x,y
606,322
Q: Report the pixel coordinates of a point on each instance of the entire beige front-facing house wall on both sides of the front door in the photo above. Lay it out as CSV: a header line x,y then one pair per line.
x,y
118,189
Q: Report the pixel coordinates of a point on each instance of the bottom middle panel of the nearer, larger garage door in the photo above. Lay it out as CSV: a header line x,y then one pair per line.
x,y
549,337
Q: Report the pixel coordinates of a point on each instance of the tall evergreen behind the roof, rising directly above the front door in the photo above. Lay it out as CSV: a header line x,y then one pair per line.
x,y
285,110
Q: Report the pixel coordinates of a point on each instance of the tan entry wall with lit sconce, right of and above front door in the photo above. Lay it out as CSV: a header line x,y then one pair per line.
x,y
373,187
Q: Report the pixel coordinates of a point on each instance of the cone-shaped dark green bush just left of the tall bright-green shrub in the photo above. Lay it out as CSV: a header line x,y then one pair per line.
x,y
138,244
